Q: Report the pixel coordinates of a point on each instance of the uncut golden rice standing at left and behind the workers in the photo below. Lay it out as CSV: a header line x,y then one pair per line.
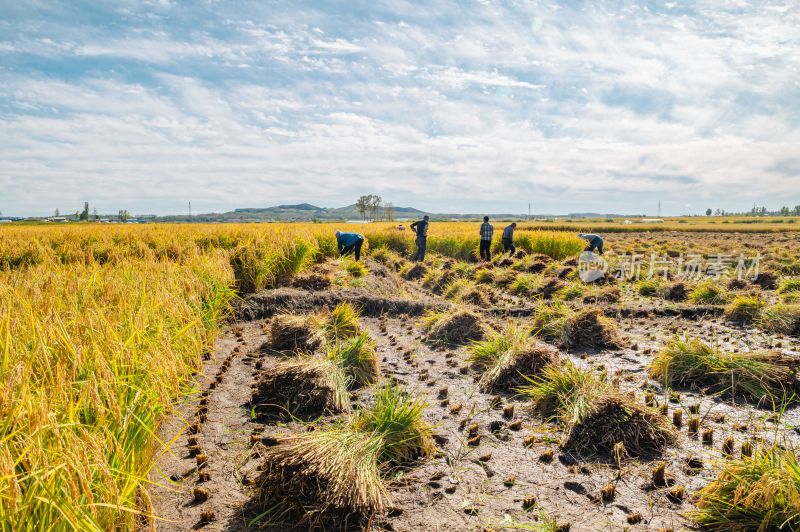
x,y
101,328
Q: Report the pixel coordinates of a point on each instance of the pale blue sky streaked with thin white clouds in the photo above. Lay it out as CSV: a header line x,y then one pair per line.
x,y
471,106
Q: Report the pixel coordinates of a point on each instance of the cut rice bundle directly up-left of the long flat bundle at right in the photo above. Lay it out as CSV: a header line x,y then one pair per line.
x,y
576,329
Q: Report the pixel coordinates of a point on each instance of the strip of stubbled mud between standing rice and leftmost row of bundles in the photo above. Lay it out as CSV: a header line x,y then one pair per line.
x,y
224,439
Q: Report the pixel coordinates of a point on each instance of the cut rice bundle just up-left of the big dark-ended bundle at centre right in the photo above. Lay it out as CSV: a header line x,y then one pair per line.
x,y
508,357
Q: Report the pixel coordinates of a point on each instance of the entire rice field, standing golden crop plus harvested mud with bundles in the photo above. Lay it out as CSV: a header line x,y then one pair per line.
x,y
108,333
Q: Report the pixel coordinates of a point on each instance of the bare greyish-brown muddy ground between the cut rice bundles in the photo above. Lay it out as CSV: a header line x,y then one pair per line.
x,y
465,487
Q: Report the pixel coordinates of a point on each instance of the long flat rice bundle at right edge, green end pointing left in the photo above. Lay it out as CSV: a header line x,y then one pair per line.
x,y
759,376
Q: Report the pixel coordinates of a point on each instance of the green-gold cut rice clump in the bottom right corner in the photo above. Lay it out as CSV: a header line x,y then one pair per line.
x,y
755,493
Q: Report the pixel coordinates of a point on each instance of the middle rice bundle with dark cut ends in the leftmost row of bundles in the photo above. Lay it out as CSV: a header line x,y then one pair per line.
x,y
305,388
